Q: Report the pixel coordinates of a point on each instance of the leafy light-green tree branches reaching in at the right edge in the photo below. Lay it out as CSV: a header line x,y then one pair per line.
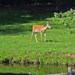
x,y
68,17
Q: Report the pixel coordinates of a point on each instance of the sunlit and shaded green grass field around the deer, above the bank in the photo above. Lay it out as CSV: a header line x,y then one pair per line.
x,y
15,33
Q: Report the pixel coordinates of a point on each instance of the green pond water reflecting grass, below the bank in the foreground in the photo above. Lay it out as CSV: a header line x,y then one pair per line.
x,y
32,69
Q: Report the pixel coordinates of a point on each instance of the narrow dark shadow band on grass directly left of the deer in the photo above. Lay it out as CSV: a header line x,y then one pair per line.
x,y
15,29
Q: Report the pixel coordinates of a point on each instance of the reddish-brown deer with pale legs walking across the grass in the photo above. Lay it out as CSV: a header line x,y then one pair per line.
x,y
40,28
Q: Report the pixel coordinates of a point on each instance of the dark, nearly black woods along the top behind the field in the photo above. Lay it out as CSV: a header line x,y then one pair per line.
x,y
41,3
